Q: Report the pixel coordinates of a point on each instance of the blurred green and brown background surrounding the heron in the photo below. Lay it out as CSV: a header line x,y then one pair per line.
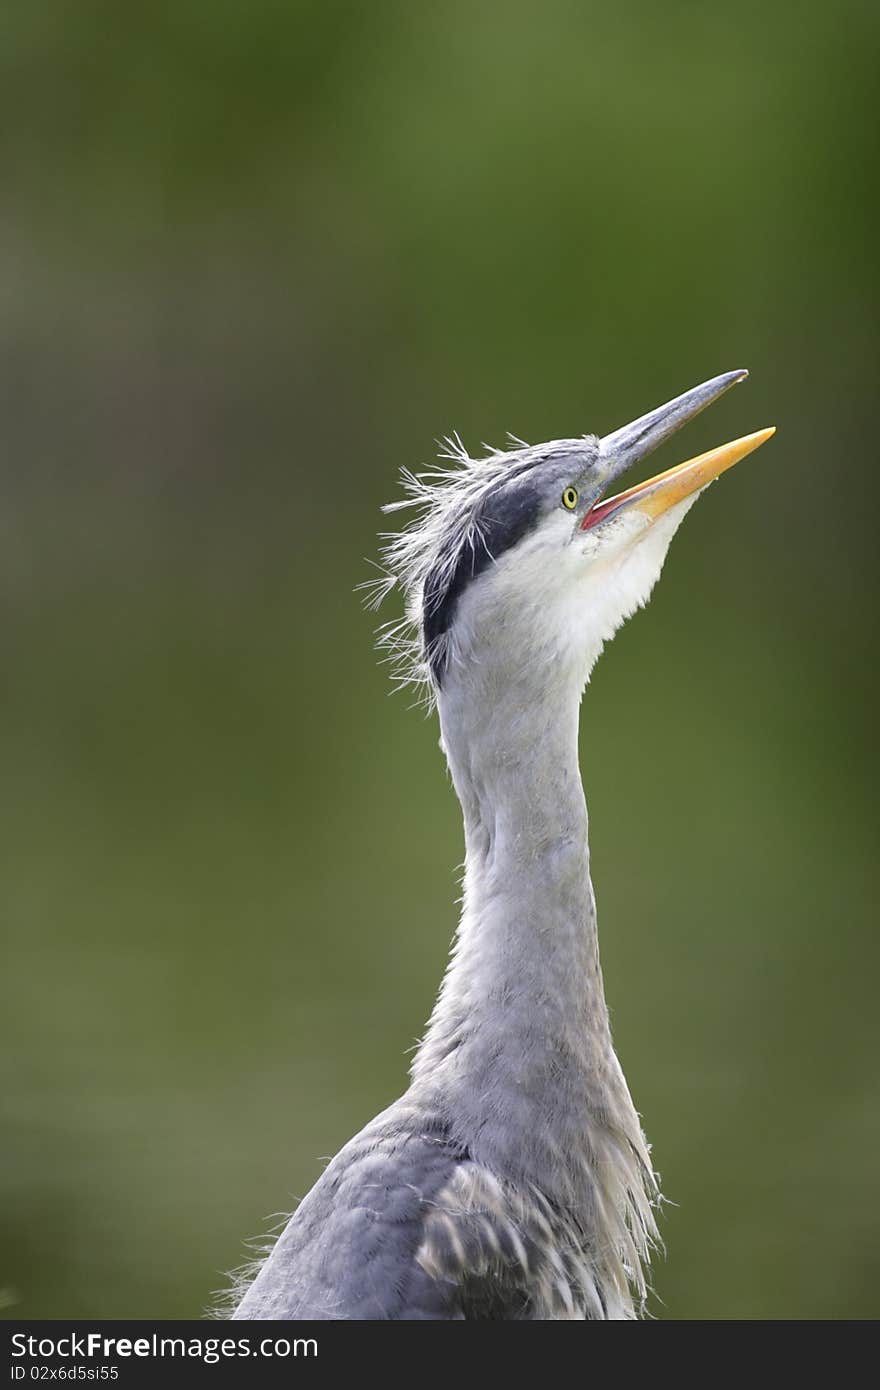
x,y
254,259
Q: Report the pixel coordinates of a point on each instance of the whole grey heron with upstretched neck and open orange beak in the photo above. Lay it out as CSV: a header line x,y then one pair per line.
x,y
512,1181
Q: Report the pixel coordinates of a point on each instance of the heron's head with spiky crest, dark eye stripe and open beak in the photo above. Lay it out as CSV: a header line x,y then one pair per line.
x,y
525,558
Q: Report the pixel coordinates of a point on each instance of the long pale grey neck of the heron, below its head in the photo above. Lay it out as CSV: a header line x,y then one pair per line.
x,y
519,1043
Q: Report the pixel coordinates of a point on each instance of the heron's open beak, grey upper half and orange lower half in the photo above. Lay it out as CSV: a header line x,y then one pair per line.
x,y
622,450
